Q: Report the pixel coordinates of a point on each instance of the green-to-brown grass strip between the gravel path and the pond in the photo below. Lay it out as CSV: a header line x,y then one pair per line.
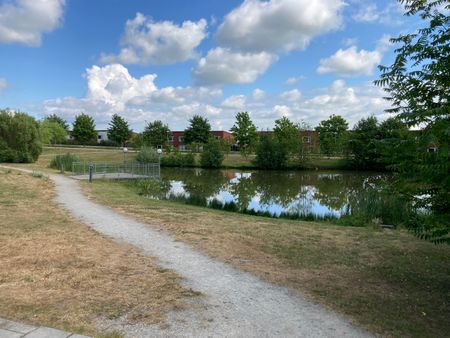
x,y
387,281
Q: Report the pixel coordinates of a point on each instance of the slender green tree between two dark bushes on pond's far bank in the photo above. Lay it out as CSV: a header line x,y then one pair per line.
x,y
245,133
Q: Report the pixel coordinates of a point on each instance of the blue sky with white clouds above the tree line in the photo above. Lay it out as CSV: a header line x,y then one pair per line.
x,y
169,60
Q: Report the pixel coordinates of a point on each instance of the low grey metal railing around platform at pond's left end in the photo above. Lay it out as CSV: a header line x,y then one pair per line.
x,y
116,170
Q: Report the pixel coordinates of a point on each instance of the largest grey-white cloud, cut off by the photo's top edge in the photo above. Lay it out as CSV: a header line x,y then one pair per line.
x,y
278,25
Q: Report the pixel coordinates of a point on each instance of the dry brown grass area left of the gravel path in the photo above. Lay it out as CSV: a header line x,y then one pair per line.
x,y
56,271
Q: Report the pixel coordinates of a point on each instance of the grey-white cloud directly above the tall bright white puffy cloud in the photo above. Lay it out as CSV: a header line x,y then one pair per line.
x,y
146,42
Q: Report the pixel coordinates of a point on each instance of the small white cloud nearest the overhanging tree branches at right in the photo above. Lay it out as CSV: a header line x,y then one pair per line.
x,y
350,62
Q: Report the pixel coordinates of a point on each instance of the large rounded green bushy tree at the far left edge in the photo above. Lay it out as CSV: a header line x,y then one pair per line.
x,y
19,137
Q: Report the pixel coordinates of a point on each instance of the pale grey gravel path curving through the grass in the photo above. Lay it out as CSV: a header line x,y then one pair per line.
x,y
233,303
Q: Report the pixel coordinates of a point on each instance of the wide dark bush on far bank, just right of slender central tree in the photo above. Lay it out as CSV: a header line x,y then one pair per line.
x,y
270,154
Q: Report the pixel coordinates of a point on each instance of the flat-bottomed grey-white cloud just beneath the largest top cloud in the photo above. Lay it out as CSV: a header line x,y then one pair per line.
x,y
222,66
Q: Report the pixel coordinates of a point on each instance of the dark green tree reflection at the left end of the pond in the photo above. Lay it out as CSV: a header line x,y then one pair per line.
x,y
198,182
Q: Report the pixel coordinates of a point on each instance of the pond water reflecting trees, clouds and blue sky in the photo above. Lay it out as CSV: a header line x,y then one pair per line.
x,y
320,193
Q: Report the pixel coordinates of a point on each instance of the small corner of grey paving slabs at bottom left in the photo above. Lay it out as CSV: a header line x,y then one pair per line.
x,y
10,329
